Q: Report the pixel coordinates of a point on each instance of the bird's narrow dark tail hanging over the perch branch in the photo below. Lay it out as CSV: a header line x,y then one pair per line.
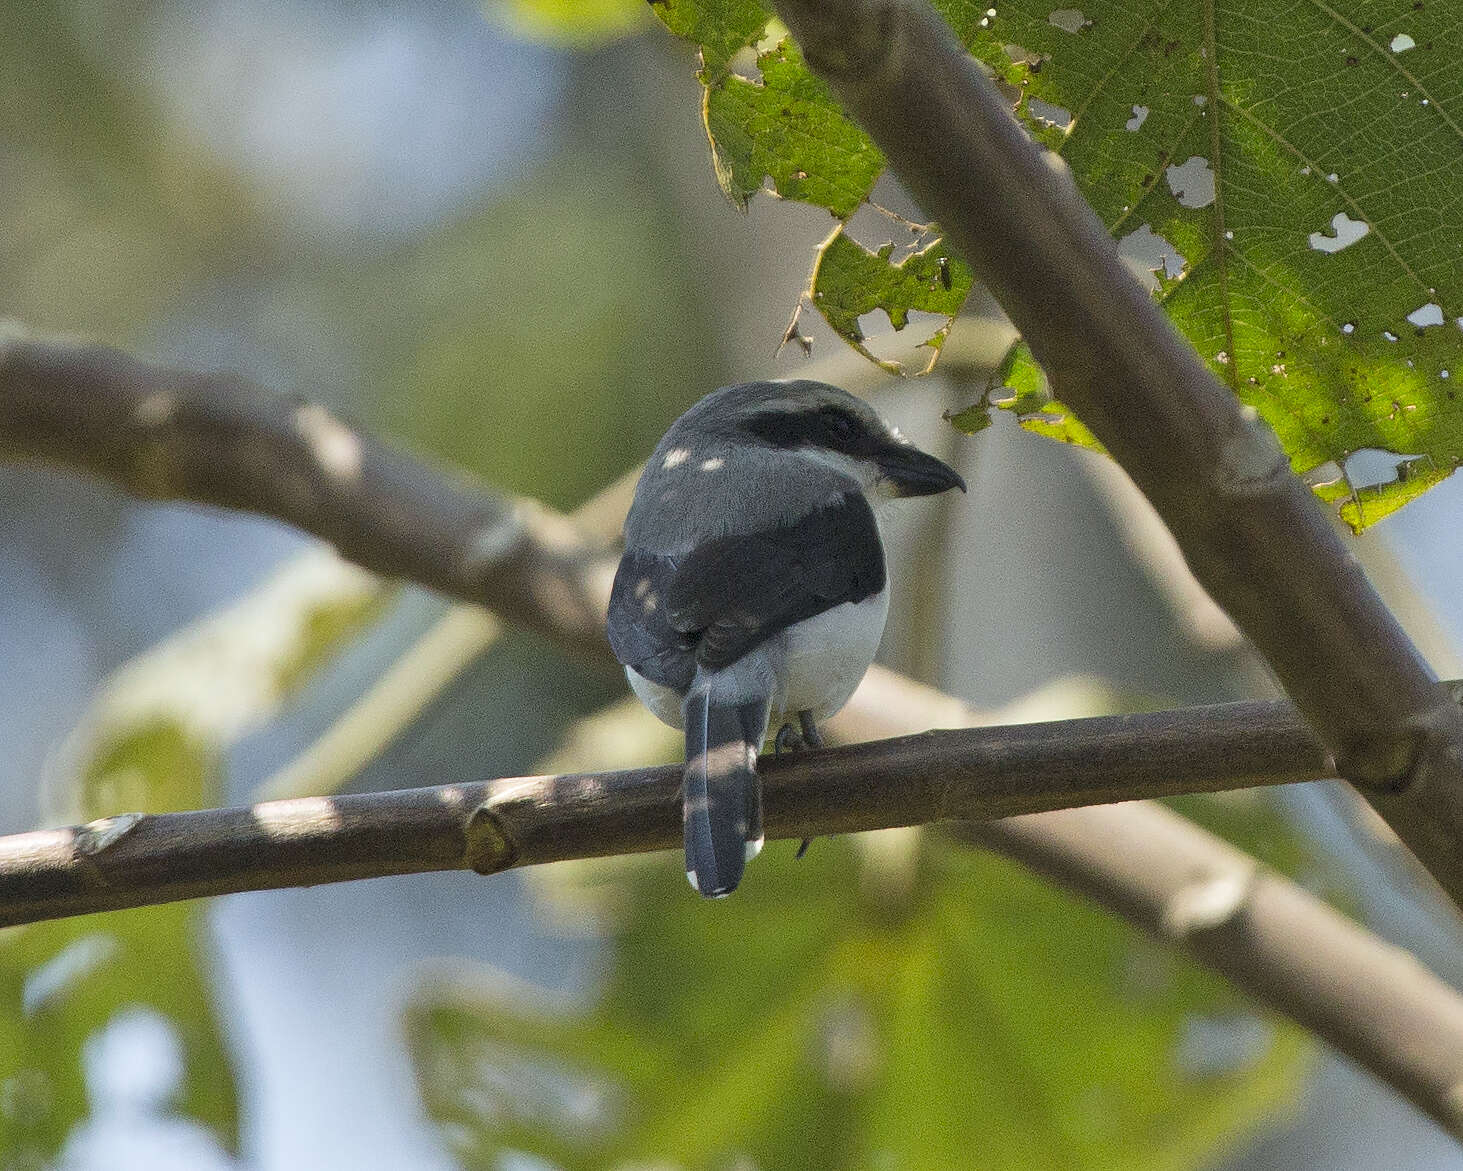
x,y
723,797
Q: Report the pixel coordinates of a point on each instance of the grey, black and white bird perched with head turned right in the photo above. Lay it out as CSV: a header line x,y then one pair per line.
x,y
754,586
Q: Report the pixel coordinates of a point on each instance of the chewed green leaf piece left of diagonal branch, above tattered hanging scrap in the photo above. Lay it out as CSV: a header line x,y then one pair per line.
x,y
789,128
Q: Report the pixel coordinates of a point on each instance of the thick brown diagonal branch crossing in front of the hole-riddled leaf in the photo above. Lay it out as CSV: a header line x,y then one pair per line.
x,y
1253,534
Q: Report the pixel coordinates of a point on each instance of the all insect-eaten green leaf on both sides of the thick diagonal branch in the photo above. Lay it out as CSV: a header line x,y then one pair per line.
x,y
1244,149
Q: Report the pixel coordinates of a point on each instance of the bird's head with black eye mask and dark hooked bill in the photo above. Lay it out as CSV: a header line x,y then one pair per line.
x,y
817,422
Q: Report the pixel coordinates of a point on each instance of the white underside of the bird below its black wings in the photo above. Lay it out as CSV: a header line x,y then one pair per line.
x,y
813,667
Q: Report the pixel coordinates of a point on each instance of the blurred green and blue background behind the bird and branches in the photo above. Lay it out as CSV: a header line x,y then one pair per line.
x,y
508,252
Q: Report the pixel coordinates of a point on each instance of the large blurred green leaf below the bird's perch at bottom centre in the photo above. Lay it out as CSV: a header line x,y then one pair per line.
x,y
843,1017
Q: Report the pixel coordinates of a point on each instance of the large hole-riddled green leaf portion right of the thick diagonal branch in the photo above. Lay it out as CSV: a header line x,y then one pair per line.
x,y
1306,134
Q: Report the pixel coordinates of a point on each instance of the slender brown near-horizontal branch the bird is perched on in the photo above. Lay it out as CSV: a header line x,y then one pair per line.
x,y
975,774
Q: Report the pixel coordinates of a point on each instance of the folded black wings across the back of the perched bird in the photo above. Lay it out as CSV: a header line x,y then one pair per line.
x,y
729,595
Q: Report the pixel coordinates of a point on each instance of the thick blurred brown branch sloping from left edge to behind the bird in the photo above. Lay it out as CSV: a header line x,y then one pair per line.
x,y
219,440
